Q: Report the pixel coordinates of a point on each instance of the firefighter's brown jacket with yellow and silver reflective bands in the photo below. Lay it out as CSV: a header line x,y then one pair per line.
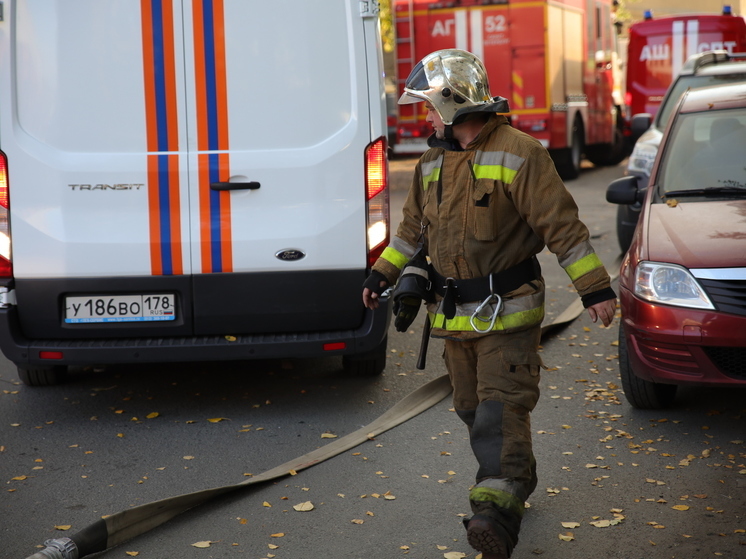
x,y
486,209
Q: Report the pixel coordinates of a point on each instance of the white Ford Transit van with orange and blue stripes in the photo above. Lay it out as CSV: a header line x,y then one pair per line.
x,y
188,180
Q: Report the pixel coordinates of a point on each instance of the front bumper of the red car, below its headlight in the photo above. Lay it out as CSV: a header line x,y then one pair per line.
x,y
683,346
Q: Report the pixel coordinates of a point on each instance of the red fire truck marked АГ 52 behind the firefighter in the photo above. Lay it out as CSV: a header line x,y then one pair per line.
x,y
553,60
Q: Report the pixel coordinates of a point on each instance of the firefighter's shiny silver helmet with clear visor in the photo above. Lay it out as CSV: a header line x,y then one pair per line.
x,y
454,81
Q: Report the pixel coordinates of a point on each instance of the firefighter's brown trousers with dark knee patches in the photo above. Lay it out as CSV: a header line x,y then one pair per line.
x,y
495,382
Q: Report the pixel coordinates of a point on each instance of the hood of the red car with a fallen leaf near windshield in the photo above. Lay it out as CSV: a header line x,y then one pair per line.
x,y
708,234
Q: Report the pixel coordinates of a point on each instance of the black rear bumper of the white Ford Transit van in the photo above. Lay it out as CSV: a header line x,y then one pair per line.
x,y
80,352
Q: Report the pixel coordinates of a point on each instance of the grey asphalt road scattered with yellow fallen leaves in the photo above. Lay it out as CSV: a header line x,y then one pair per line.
x,y
614,482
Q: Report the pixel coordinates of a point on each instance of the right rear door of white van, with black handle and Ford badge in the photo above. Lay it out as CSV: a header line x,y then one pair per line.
x,y
279,125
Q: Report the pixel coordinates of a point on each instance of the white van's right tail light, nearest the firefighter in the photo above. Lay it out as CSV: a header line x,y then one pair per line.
x,y
377,198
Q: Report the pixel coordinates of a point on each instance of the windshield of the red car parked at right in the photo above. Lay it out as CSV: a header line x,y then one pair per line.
x,y
705,154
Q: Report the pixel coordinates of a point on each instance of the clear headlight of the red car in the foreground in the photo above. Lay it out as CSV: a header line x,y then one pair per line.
x,y
671,285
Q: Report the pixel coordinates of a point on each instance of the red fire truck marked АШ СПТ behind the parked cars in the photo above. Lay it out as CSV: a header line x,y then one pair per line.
x,y
658,48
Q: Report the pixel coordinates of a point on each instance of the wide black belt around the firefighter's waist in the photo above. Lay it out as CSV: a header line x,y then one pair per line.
x,y
457,291
